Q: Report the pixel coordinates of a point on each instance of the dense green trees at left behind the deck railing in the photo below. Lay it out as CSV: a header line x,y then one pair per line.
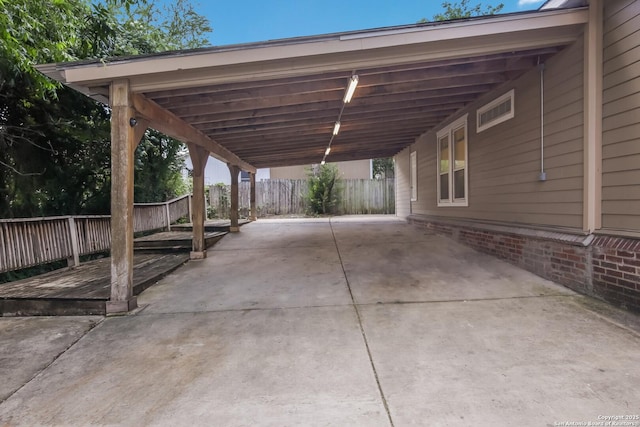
x,y
55,142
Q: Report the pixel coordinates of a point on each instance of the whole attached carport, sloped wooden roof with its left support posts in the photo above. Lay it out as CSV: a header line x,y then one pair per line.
x,y
277,103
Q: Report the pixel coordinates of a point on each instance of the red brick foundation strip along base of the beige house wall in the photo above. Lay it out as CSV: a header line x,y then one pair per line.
x,y
607,268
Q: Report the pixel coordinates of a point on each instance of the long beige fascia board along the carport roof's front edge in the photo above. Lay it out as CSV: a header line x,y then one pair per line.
x,y
510,25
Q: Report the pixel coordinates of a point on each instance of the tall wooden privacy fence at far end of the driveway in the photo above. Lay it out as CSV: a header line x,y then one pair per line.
x,y
288,197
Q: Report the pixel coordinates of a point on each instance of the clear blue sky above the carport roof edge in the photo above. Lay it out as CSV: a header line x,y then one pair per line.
x,y
260,20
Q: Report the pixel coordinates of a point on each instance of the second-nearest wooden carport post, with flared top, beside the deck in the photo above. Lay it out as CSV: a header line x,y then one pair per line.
x,y
199,157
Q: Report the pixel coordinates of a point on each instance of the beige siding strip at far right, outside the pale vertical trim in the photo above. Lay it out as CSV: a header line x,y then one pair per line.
x,y
621,116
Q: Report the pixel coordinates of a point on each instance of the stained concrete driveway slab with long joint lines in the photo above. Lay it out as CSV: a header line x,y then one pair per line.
x,y
354,321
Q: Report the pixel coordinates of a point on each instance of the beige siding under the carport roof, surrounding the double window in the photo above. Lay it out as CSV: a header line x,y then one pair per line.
x,y
504,161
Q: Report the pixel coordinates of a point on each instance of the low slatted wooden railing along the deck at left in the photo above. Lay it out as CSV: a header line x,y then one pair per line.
x,y
32,241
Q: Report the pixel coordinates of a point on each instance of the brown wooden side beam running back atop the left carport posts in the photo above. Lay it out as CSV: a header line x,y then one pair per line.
x,y
168,123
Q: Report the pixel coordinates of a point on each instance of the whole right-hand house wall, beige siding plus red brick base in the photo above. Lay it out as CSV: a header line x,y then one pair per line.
x,y
538,225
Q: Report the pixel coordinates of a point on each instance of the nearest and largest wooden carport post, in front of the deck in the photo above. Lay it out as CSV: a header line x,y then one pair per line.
x,y
123,145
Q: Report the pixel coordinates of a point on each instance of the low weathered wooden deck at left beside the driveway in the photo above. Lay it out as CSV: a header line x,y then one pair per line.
x,y
81,290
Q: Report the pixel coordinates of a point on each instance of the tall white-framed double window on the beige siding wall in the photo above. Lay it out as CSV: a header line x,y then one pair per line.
x,y
453,179
